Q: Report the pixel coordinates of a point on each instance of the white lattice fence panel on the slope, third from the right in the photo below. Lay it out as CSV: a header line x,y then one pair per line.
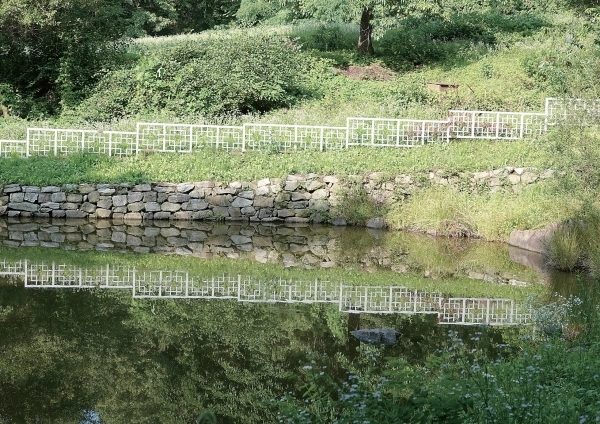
x,y
379,132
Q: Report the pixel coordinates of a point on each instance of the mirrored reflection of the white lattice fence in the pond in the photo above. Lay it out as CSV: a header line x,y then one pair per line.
x,y
351,299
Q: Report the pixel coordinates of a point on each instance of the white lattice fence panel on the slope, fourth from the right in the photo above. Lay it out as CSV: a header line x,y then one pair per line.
x,y
291,138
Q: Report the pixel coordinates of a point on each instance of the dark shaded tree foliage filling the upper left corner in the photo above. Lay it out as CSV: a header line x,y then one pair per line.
x,y
53,54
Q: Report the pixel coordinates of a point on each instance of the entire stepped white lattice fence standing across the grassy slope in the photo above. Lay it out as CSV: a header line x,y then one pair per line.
x,y
366,132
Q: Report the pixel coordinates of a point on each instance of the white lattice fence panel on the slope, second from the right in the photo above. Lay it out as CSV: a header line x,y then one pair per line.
x,y
495,125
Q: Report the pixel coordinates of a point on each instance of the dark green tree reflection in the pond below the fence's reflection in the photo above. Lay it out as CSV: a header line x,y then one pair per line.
x,y
165,360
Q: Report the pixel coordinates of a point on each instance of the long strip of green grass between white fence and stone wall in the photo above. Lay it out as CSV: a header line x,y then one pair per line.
x,y
468,156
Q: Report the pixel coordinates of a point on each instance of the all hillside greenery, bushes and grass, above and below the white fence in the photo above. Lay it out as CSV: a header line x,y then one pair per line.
x,y
274,67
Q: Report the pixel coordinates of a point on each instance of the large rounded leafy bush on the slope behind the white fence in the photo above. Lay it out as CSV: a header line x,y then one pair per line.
x,y
216,77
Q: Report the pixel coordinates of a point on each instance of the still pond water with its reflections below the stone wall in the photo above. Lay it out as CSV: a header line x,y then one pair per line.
x,y
116,341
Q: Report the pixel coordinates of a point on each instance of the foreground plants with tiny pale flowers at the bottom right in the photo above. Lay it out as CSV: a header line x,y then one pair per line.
x,y
545,378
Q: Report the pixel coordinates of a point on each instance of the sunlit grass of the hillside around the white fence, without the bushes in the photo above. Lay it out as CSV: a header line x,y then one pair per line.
x,y
489,79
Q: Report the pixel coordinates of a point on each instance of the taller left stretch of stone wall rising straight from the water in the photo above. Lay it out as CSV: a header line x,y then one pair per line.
x,y
294,199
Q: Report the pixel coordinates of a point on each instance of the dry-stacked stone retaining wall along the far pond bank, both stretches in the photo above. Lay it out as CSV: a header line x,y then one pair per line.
x,y
295,199
